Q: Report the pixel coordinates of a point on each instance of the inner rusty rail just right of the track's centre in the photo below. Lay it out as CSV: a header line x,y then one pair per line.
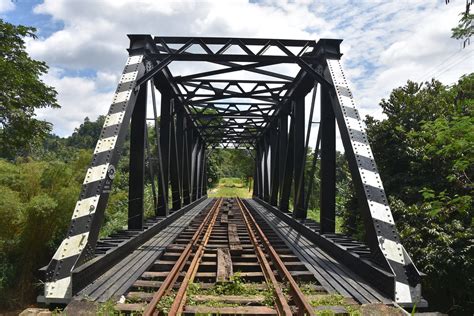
x,y
281,302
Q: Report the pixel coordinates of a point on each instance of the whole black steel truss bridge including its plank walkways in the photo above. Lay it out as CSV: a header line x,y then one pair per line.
x,y
248,94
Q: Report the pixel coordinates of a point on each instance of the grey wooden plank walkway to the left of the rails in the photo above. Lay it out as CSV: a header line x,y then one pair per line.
x,y
122,275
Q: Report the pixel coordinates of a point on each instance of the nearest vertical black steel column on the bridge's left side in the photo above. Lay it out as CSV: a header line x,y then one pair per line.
x,y
136,180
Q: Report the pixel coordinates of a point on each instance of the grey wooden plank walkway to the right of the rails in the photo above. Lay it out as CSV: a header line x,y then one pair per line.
x,y
332,275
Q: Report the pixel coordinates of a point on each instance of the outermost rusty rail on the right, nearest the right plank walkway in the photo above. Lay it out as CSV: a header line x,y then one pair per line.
x,y
304,307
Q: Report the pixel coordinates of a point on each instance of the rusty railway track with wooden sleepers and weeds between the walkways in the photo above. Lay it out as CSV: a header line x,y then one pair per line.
x,y
228,261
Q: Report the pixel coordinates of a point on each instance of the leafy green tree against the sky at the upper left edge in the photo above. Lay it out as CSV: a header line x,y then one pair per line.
x,y
21,93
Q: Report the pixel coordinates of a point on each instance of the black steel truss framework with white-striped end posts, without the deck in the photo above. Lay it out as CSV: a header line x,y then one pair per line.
x,y
235,96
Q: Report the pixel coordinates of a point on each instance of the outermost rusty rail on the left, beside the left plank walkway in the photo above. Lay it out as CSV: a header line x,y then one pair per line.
x,y
171,278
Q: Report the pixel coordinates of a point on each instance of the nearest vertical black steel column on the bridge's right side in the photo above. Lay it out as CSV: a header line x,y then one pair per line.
x,y
328,164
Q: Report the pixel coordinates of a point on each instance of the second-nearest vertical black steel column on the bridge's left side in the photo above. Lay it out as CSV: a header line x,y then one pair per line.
x,y
173,162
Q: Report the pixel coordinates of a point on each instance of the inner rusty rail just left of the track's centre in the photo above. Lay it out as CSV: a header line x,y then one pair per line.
x,y
180,298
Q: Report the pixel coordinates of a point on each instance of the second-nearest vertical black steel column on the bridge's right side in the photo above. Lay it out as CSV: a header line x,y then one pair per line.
x,y
299,152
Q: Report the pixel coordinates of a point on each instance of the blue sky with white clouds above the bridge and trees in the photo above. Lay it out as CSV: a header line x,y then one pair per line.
x,y
385,43
